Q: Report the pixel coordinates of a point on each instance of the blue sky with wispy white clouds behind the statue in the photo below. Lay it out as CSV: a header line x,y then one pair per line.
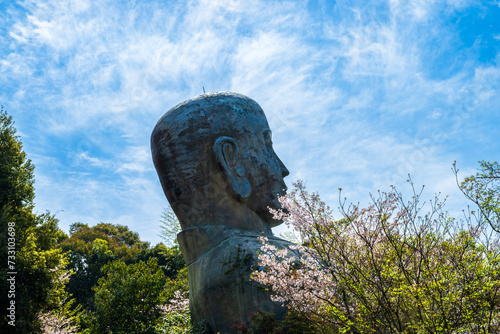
x,y
358,93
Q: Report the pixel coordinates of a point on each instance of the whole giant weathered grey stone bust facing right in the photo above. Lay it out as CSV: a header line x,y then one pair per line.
x,y
216,163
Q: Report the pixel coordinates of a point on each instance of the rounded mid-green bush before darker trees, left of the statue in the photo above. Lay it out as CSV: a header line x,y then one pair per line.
x,y
127,298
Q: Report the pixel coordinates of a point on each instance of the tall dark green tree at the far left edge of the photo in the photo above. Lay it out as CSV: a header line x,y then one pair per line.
x,y
35,258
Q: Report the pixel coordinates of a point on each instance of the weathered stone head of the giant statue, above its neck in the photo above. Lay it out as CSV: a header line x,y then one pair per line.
x,y
216,163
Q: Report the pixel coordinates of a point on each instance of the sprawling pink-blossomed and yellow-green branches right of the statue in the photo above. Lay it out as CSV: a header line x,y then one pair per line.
x,y
386,268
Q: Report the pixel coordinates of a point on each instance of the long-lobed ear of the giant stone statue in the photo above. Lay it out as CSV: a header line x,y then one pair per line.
x,y
226,154
